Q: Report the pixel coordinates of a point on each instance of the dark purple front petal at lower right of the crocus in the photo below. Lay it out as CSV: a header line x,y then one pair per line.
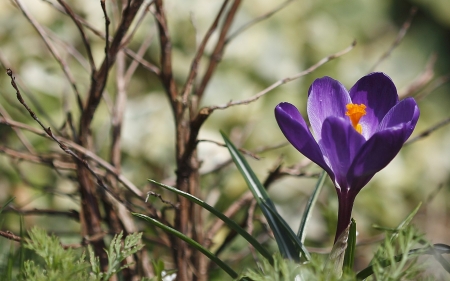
x,y
374,155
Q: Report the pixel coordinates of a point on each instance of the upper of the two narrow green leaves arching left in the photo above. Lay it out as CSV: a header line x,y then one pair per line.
x,y
232,224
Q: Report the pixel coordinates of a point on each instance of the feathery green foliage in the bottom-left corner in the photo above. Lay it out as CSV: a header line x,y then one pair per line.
x,y
65,264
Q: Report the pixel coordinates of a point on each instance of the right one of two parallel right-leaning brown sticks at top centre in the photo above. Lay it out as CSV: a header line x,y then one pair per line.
x,y
216,56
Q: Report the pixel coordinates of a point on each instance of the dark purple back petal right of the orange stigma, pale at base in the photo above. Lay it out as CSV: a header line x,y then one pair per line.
x,y
378,93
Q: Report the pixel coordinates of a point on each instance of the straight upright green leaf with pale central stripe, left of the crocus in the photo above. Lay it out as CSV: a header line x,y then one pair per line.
x,y
286,246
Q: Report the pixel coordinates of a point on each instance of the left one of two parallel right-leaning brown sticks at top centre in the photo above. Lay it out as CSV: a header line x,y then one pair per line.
x,y
201,49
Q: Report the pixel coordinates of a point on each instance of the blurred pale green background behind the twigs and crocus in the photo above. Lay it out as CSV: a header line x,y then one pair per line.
x,y
280,46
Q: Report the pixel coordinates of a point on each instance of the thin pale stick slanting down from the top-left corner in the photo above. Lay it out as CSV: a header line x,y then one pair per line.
x,y
52,50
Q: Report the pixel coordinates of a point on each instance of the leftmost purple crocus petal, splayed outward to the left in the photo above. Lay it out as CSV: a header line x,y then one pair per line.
x,y
297,133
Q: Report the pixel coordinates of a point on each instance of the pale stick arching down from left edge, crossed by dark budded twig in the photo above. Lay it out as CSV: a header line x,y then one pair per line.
x,y
84,151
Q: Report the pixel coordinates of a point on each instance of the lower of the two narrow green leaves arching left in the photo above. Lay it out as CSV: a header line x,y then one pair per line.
x,y
191,242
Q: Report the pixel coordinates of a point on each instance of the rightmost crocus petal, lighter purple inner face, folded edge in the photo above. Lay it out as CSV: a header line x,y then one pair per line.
x,y
405,113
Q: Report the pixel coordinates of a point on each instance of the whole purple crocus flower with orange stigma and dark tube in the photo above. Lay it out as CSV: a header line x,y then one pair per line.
x,y
356,133
